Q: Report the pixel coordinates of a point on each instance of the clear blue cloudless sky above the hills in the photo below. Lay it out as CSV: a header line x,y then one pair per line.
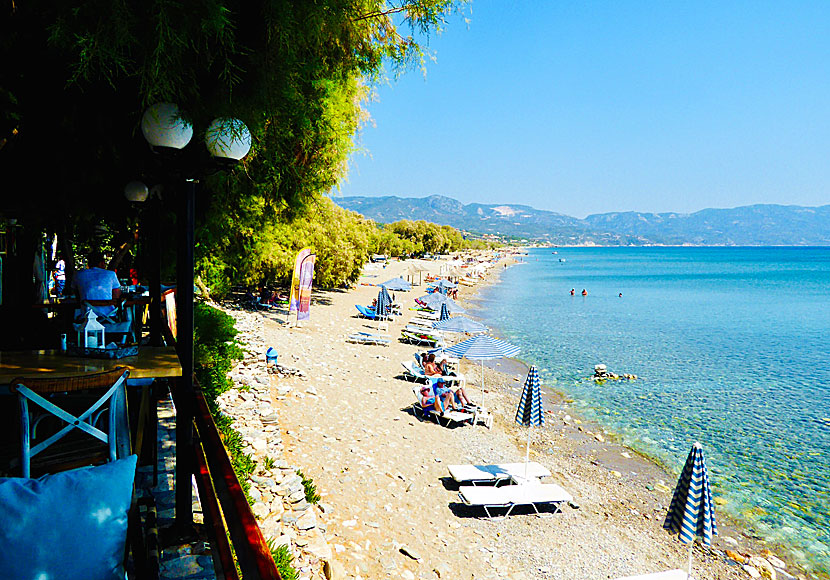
x,y
584,107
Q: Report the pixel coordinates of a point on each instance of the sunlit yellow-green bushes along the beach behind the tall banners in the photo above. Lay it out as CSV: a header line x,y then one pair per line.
x,y
264,249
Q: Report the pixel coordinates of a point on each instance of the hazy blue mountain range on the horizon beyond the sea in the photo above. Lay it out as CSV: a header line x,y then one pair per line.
x,y
754,225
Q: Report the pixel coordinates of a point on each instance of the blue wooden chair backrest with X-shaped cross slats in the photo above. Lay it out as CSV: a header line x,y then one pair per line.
x,y
42,391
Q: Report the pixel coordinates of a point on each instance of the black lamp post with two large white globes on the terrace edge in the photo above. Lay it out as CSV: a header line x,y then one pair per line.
x,y
228,141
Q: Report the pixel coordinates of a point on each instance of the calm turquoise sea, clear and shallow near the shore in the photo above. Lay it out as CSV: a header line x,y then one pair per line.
x,y
731,347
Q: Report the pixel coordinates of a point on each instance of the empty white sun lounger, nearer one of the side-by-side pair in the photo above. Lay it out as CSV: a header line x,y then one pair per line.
x,y
509,496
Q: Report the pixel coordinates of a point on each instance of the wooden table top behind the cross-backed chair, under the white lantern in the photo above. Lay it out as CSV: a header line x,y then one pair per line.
x,y
150,362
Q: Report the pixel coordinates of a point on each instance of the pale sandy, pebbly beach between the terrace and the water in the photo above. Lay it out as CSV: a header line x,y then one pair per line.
x,y
388,508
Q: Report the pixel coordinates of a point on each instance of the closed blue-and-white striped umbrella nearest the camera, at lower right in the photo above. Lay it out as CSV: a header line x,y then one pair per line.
x,y
691,512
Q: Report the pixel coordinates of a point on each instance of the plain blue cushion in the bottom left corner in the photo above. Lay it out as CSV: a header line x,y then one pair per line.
x,y
67,526
